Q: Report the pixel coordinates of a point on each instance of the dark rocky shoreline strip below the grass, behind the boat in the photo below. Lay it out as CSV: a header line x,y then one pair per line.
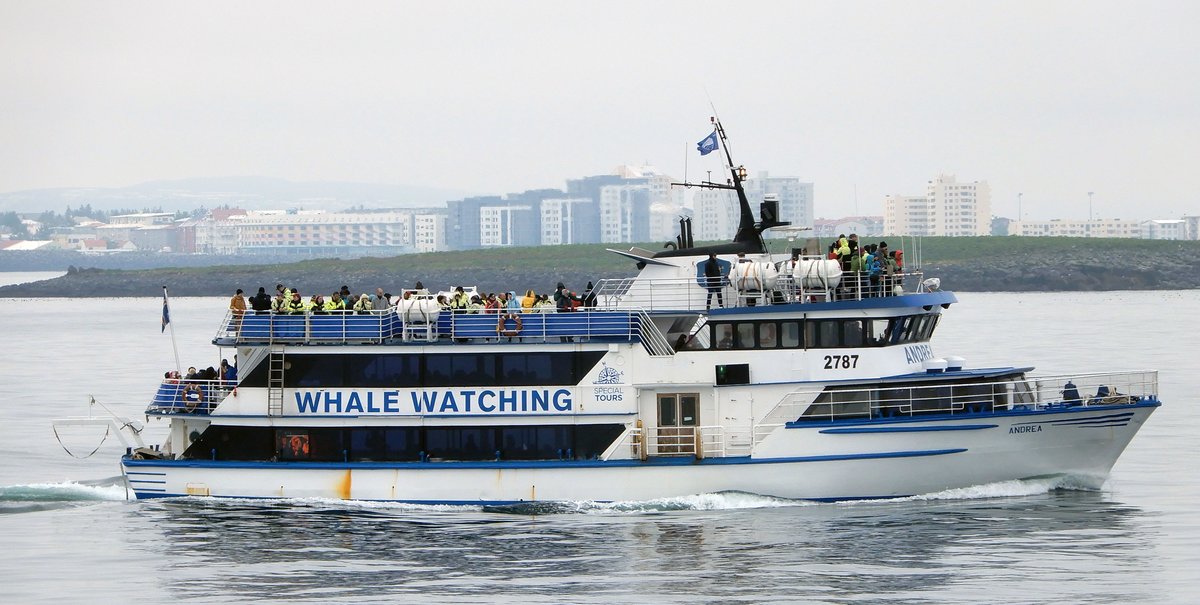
x,y
1083,273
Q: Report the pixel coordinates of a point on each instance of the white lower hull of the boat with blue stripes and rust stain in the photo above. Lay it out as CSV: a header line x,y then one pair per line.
x,y
819,462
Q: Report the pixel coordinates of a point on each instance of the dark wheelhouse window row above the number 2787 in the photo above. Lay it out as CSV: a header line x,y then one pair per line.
x,y
823,333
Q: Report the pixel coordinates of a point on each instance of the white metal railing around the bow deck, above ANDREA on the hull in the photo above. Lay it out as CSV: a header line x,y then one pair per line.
x,y
961,398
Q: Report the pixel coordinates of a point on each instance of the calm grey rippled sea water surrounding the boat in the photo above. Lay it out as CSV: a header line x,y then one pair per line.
x,y
69,536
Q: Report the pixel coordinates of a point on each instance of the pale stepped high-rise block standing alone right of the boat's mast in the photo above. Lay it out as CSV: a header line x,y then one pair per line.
x,y
949,208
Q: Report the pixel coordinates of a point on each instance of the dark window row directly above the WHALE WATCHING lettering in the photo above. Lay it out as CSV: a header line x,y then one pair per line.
x,y
409,370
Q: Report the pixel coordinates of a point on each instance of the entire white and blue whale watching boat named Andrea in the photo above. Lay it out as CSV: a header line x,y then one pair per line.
x,y
807,373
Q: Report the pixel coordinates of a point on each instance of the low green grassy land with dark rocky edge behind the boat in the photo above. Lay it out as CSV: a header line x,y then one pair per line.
x,y
965,265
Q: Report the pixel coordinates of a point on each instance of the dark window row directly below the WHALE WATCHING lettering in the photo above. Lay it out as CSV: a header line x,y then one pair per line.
x,y
404,445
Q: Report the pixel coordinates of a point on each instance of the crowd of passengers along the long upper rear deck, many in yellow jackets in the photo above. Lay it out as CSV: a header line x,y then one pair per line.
x,y
291,302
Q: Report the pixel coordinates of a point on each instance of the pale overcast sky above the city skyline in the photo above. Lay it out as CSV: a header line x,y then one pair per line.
x,y
863,99
